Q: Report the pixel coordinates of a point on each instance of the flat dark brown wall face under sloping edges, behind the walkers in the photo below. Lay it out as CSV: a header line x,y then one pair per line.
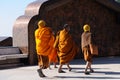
x,y
101,19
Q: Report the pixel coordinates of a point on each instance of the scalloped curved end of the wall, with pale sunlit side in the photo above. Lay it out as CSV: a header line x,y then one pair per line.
x,y
23,30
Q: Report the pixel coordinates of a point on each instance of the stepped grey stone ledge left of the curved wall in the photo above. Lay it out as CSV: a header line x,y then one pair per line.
x,y
12,57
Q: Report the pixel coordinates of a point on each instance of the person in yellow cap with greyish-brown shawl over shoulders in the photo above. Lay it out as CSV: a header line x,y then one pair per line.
x,y
86,40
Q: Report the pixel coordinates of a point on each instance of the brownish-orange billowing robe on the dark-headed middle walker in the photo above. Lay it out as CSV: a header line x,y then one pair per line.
x,y
67,47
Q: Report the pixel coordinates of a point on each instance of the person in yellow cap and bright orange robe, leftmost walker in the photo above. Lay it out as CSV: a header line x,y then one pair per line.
x,y
43,39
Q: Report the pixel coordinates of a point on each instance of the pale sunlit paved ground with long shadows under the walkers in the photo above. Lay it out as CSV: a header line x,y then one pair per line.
x,y
105,69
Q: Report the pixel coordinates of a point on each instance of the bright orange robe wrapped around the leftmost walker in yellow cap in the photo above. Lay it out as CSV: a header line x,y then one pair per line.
x,y
43,37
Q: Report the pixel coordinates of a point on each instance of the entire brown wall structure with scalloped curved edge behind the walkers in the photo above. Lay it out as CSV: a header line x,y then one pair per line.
x,y
74,12
